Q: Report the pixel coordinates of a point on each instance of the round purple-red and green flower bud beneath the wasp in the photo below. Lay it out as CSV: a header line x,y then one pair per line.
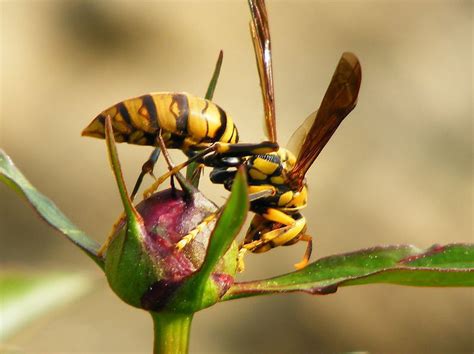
x,y
147,263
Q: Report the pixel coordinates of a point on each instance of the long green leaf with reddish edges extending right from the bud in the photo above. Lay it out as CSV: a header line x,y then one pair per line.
x,y
450,265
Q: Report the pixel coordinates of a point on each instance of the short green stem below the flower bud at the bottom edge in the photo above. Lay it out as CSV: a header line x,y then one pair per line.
x,y
171,332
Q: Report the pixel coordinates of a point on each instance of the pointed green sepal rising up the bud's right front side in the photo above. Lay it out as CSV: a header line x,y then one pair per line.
x,y
198,291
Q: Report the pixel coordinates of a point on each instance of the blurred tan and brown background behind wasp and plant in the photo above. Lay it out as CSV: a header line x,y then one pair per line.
x,y
398,170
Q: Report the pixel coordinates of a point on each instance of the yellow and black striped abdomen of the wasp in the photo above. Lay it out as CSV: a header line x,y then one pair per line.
x,y
185,121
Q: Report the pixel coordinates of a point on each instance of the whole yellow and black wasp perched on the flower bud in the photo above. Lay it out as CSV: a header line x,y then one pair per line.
x,y
276,176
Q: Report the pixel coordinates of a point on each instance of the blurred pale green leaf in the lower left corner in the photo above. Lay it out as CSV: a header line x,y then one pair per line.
x,y
27,296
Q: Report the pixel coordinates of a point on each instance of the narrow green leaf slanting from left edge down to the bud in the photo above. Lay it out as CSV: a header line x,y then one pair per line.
x,y
12,177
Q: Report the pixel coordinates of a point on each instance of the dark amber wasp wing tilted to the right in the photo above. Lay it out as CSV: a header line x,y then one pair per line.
x,y
338,101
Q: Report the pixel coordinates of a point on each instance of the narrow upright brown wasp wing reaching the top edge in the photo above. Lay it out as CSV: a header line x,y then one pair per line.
x,y
260,33
